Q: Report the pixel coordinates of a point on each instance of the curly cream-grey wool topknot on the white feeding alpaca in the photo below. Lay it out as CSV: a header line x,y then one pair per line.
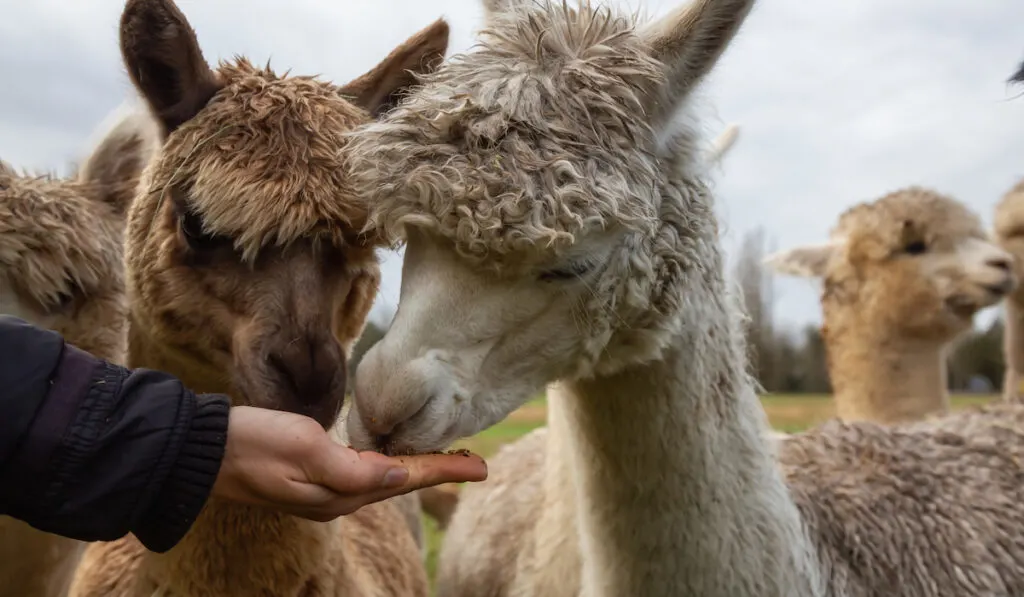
x,y
524,146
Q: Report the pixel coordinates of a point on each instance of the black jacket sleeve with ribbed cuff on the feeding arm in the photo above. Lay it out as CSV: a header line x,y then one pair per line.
x,y
94,451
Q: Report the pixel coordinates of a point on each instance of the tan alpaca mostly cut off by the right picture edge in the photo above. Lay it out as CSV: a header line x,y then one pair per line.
x,y
1010,234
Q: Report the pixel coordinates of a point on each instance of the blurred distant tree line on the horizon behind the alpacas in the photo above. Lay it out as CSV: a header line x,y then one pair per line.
x,y
788,362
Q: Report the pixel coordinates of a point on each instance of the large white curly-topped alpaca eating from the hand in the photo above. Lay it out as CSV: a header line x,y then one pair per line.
x,y
548,239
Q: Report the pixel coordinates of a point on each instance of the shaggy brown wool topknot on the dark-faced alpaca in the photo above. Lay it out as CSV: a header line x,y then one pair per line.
x,y
275,143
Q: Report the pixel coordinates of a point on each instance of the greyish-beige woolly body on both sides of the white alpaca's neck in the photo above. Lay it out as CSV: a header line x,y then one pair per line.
x,y
866,493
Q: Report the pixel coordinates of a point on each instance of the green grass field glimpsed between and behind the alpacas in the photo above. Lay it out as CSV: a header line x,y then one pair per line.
x,y
788,413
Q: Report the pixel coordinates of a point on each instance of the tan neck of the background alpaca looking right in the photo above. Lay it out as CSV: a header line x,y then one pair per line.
x,y
886,380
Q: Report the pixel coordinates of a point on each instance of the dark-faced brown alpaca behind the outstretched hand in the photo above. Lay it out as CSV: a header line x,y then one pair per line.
x,y
246,276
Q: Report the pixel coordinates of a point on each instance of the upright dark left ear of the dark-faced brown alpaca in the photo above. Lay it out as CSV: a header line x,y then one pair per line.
x,y
164,61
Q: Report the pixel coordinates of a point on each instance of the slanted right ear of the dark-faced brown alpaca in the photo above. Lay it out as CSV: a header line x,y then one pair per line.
x,y
380,90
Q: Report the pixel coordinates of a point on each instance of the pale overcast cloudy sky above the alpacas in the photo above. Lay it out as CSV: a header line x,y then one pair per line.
x,y
839,102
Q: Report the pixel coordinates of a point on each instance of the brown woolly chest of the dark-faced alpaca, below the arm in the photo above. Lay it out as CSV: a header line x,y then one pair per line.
x,y
369,552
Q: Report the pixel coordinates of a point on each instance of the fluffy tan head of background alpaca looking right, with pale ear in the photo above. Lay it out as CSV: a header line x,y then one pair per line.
x,y
913,265
